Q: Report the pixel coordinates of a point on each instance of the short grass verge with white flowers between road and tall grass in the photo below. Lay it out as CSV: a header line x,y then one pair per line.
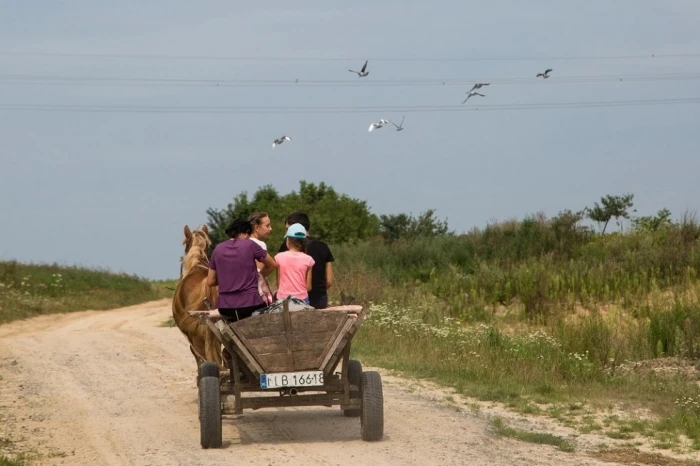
x,y
527,367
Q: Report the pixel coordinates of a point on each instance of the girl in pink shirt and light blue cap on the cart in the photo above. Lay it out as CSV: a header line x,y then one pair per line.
x,y
294,266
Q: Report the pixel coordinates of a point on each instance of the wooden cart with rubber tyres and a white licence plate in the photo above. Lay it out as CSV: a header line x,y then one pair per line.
x,y
293,355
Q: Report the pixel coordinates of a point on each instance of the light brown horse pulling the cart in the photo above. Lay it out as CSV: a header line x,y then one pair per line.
x,y
192,293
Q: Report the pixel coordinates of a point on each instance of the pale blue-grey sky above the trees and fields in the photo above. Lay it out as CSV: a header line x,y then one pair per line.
x,y
112,188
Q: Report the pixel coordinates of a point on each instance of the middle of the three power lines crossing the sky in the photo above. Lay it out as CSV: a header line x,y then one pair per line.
x,y
30,79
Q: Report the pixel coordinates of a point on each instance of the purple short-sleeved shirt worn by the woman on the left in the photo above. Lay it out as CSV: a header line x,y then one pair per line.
x,y
234,262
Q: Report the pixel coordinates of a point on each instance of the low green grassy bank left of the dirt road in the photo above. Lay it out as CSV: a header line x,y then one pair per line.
x,y
28,290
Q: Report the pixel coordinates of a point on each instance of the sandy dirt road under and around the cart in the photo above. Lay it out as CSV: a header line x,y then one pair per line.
x,y
115,388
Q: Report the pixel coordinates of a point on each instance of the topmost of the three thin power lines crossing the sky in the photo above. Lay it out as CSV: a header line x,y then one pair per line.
x,y
336,59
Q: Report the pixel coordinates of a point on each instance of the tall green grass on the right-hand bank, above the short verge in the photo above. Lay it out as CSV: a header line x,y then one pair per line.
x,y
542,264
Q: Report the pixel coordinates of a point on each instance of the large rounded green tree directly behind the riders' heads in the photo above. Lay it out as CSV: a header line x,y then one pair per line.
x,y
335,218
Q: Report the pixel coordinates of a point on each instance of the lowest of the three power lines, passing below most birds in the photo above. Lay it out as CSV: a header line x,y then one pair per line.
x,y
338,110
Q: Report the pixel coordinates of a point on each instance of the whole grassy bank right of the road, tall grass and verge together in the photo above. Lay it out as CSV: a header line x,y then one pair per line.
x,y
539,309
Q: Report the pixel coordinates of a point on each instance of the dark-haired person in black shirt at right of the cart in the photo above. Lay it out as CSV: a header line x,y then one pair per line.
x,y
322,270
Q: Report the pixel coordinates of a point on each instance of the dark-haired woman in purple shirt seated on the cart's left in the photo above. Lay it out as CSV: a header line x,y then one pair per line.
x,y
232,267
